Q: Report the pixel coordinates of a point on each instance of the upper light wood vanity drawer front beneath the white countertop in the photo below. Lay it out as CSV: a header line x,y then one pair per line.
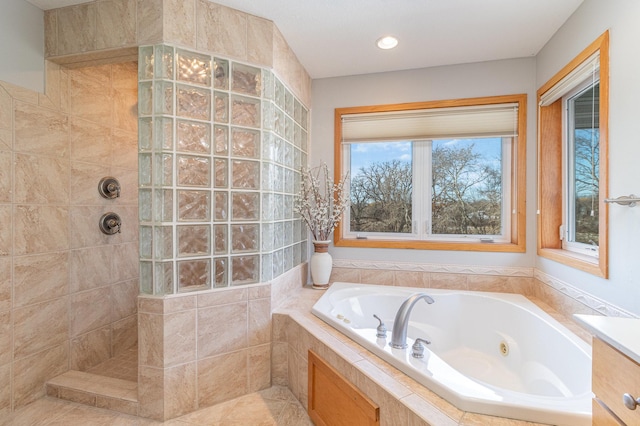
x,y
614,374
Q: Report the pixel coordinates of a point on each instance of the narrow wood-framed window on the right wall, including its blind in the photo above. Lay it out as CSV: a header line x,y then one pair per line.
x,y
572,169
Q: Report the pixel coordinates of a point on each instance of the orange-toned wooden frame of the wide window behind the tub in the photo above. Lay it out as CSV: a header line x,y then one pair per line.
x,y
518,178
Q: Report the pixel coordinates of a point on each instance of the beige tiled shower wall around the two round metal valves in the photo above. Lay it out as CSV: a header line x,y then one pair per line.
x,y
67,291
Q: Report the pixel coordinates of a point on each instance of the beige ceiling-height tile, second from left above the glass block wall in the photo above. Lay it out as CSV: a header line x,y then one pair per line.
x,y
179,22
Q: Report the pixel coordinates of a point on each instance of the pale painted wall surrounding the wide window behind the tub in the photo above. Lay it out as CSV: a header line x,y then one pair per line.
x,y
450,82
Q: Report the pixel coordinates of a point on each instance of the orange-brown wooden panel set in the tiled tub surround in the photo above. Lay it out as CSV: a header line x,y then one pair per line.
x,y
333,401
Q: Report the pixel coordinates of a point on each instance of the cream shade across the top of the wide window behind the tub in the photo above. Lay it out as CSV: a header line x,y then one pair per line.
x,y
495,120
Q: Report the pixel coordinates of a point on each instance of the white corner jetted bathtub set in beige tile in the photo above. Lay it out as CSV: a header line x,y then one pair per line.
x,y
490,353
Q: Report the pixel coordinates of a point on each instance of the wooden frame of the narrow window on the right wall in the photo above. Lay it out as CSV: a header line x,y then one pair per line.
x,y
550,168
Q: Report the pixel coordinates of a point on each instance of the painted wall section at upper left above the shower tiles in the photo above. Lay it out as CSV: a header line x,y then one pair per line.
x,y
22,44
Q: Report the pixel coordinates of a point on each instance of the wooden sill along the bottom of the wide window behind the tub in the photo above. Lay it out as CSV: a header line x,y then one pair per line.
x,y
430,245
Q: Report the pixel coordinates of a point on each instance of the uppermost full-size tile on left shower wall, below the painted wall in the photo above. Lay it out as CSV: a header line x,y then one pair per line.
x,y
41,131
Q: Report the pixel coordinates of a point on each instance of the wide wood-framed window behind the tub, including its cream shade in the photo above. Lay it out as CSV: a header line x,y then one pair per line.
x,y
434,175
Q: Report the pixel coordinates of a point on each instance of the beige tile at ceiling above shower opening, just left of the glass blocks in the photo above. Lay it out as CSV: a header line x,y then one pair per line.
x,y
115,23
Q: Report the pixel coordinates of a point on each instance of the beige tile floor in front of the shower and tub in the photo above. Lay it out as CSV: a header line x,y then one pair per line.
x,y
275,406
